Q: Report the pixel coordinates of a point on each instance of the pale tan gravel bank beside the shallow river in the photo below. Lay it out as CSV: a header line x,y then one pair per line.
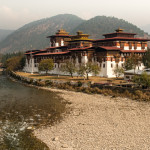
x,y
99,122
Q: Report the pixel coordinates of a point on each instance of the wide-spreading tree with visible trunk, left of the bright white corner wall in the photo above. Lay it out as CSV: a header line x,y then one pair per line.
x,y
89,68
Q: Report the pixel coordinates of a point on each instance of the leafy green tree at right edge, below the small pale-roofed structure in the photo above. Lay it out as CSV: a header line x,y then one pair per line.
x,y
143,79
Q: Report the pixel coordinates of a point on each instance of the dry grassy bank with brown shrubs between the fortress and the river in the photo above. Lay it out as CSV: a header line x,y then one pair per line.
x,y
65,82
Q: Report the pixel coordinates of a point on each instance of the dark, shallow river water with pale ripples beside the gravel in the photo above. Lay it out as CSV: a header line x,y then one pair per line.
x,y
22,109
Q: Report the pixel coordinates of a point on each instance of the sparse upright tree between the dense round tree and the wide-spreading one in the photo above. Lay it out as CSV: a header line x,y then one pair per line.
x,y
69,67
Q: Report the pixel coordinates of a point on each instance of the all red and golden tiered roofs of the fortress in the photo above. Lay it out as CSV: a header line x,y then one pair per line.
x,y
116,36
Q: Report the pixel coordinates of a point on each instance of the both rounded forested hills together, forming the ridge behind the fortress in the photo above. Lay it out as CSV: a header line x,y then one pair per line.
x,y
35,33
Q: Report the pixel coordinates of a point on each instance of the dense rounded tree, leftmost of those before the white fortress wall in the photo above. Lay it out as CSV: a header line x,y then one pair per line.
x,y
46,65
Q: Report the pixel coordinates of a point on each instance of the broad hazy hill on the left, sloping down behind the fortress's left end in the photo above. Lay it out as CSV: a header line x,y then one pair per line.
x,y
35,33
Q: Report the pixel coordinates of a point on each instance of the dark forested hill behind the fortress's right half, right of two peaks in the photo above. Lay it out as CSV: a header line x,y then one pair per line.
x,y
100,25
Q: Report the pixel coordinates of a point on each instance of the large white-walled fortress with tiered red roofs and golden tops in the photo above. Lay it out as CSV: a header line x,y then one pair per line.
x,y
107,53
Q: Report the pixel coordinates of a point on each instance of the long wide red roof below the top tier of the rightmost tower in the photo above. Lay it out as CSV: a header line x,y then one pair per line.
x,y
122,38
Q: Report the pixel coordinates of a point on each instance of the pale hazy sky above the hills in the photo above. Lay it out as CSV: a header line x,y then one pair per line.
x,y
16,13
